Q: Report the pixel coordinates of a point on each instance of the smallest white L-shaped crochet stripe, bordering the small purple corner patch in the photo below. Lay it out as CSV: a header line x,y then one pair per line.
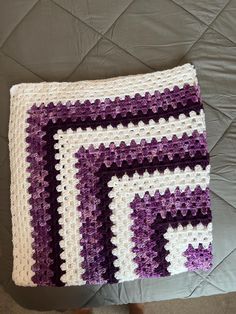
x,y
179,239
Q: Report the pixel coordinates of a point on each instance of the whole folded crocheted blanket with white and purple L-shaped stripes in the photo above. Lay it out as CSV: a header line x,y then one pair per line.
x,y
109,179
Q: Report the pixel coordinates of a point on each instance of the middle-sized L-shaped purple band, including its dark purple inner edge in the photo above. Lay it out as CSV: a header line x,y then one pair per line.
x,y
95,169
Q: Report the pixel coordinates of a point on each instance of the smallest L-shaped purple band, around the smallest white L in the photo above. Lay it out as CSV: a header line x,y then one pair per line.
x,y
149,241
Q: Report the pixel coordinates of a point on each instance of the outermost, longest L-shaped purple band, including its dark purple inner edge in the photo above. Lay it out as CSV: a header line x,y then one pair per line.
x,y
44,121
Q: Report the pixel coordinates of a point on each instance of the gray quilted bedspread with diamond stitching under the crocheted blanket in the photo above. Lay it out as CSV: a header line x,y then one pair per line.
x,y
68,40
